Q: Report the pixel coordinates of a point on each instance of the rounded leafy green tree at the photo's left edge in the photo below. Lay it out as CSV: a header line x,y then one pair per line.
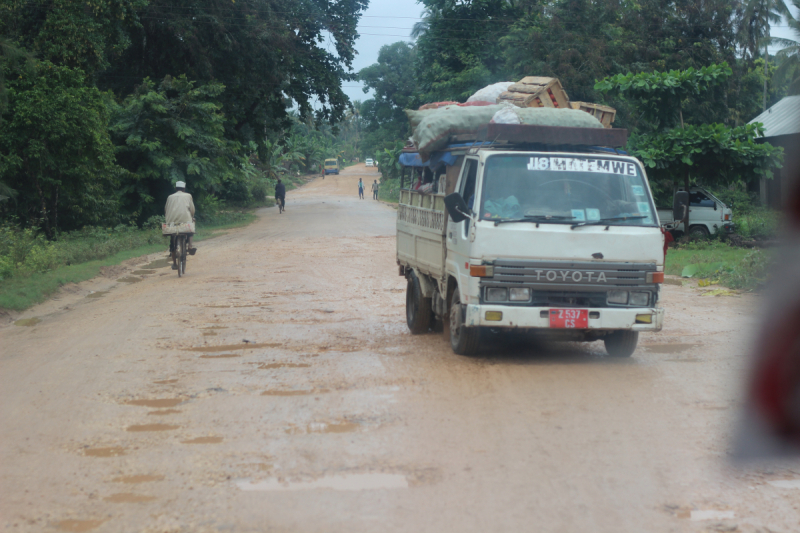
x,y
55,149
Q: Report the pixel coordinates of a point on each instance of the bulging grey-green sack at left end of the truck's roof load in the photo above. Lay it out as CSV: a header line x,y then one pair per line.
x,y
435,127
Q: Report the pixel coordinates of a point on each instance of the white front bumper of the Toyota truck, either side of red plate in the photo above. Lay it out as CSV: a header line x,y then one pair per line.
x,y
539,317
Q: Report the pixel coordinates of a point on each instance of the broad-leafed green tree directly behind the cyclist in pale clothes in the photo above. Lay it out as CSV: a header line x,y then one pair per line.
x,y
174,132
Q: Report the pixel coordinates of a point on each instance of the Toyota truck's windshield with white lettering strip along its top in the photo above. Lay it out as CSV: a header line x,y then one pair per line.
x,y
565,190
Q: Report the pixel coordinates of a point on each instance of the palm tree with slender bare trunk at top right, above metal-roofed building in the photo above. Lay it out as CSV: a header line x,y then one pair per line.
x,y
754,29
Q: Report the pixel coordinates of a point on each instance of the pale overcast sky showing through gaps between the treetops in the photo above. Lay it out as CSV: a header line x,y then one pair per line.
x,y
389,21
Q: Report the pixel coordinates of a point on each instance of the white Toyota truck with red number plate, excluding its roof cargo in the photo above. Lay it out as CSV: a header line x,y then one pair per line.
x,y
531,232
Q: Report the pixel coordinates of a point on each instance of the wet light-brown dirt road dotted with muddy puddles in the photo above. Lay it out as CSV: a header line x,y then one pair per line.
x,y
276,388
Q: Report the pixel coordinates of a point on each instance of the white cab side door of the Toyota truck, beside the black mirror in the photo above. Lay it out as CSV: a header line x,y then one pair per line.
x,y
458,245
